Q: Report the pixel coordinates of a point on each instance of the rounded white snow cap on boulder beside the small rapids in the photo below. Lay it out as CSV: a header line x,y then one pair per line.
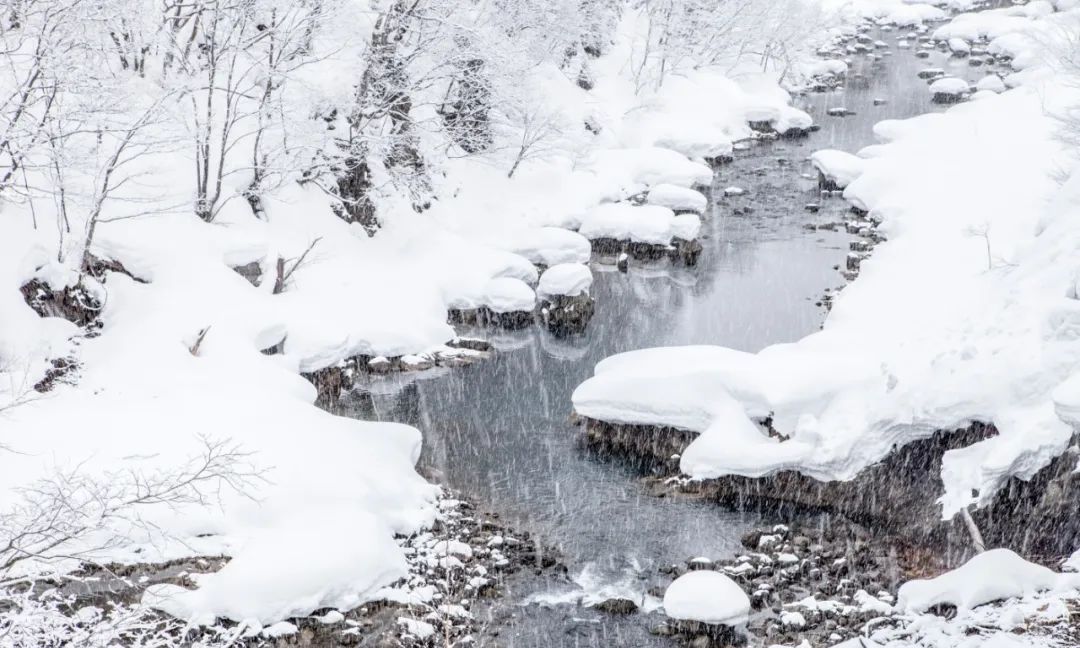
x,y
707,597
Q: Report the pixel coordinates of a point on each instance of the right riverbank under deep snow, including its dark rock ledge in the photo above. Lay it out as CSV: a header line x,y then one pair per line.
x,y
941,381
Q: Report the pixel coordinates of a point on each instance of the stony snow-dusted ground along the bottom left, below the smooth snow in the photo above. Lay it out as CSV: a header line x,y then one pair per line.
x,y
457,566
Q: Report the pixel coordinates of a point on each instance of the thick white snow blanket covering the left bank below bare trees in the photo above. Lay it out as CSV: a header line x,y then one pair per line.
x,y
179,357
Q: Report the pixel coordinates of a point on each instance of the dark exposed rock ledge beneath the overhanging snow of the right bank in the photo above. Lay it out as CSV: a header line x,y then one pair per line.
x,y
898,495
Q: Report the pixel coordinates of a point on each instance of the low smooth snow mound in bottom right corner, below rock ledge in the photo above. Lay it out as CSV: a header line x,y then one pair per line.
x,y
991,576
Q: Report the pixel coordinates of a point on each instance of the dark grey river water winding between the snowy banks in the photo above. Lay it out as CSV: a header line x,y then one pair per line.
x,y
499,433
